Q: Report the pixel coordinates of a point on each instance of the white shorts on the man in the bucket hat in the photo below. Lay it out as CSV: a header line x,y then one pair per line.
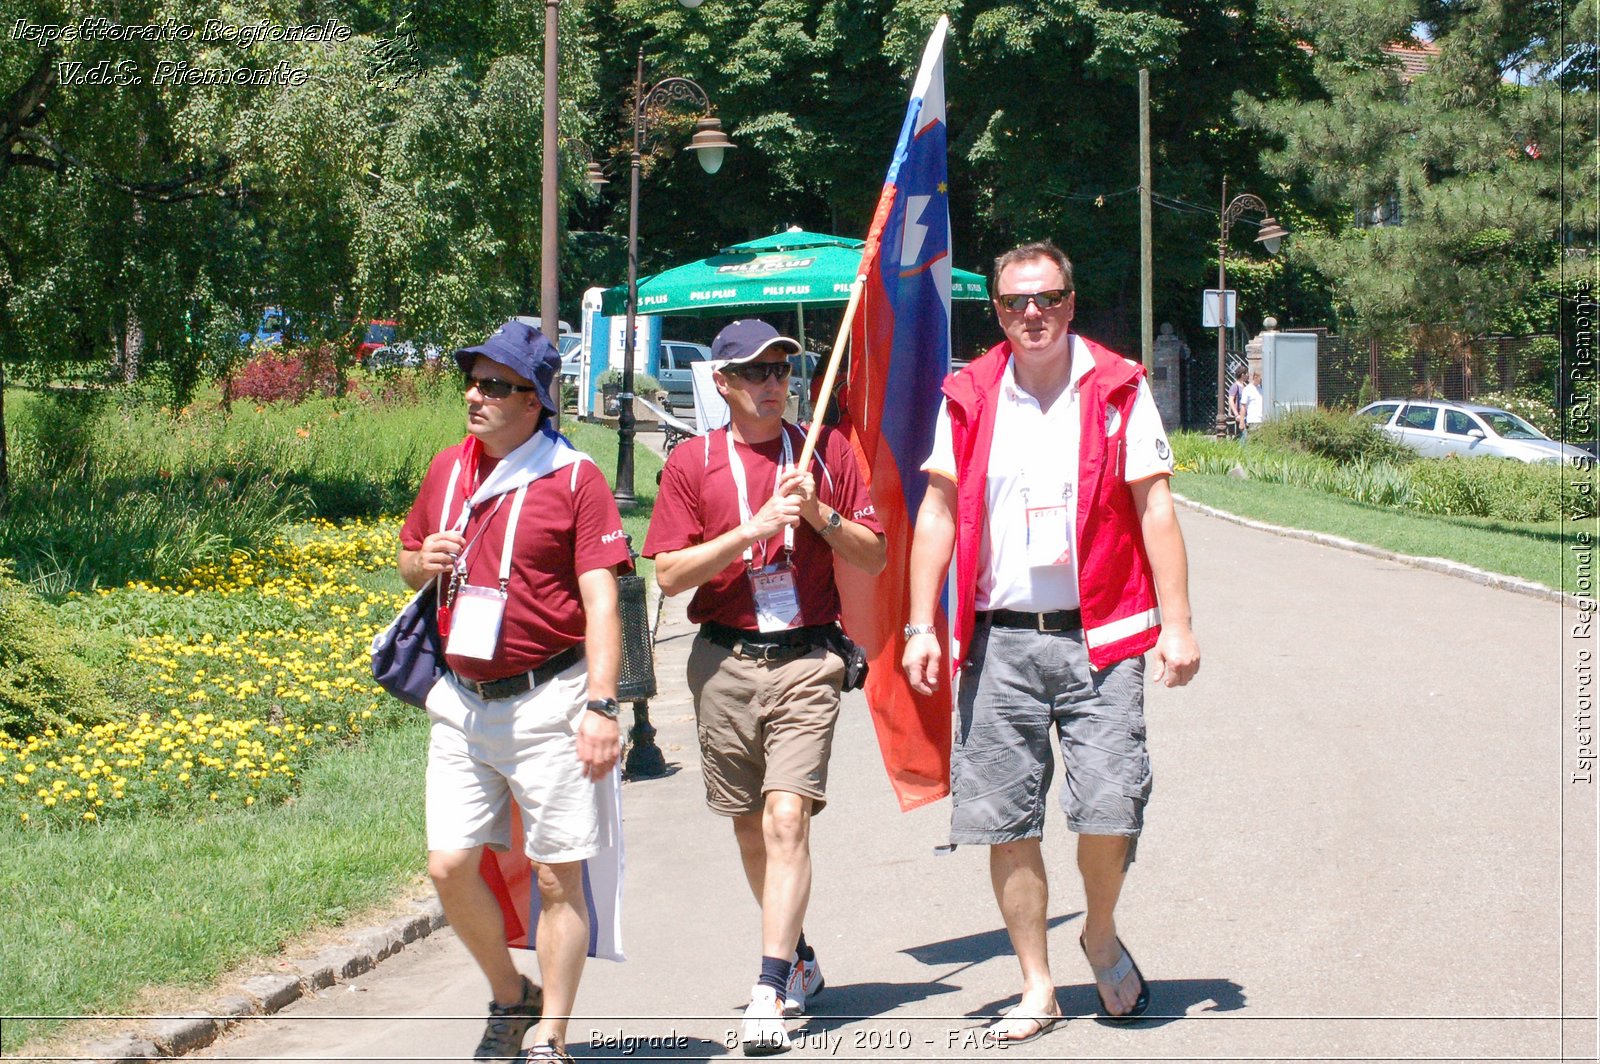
x,y
486,753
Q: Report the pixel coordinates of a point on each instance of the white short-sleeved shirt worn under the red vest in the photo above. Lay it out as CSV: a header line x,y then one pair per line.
x,y
1028,559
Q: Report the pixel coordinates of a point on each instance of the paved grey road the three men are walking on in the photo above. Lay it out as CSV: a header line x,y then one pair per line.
x,y
1362,844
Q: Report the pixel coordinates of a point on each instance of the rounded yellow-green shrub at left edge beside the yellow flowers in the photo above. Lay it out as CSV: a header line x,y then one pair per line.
x,y
44,682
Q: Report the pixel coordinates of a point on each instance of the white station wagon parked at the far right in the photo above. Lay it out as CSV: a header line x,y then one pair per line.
x,y
1436,430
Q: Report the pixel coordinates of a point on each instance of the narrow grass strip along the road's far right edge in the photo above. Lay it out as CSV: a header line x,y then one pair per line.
x,y
1532,551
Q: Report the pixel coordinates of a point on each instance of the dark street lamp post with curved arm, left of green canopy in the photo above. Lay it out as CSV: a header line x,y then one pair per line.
x,y
710,145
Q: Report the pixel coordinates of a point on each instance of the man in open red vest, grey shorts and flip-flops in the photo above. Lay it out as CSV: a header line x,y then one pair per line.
x,y
1049,484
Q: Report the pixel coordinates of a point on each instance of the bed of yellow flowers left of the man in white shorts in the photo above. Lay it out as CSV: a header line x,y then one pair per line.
x,y
239,716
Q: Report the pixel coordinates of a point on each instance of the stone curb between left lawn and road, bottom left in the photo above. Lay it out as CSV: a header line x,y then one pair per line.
x,y
262,996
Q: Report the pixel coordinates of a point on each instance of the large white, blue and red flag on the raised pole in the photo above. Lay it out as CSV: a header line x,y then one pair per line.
x,y
900,356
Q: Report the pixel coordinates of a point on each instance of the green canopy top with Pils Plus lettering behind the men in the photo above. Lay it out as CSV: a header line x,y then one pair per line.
x,y
790,270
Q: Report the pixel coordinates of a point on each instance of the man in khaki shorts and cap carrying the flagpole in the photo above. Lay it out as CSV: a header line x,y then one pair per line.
x,y
758,538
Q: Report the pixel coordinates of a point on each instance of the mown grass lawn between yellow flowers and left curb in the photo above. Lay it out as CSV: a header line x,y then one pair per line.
x,y
95,916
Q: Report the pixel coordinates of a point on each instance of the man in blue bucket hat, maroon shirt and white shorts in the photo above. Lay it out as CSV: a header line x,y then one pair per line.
x,y
527,542
